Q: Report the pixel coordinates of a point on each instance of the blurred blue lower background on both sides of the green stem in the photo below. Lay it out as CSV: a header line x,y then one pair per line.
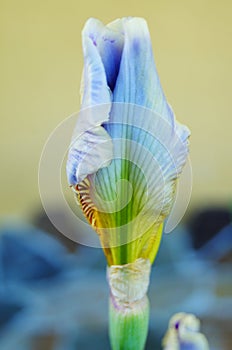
x,y
45,290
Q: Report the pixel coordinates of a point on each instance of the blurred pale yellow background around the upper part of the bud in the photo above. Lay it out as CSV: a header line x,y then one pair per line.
x,y
41,64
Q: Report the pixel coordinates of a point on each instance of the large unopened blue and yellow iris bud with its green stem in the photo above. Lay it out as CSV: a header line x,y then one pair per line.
x,y
124,161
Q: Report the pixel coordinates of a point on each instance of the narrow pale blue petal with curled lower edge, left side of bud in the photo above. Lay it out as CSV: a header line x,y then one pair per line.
x,y
91,146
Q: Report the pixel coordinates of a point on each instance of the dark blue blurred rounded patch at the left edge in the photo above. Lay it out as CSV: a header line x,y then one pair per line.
x,y
28,254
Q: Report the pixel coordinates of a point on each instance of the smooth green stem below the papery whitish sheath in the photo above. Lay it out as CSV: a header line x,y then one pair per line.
x,y
128,327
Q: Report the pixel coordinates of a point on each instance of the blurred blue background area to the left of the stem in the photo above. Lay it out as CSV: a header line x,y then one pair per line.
x,y
40,286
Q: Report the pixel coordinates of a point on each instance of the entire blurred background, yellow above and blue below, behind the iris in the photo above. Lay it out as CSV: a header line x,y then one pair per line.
x,y
41,64
